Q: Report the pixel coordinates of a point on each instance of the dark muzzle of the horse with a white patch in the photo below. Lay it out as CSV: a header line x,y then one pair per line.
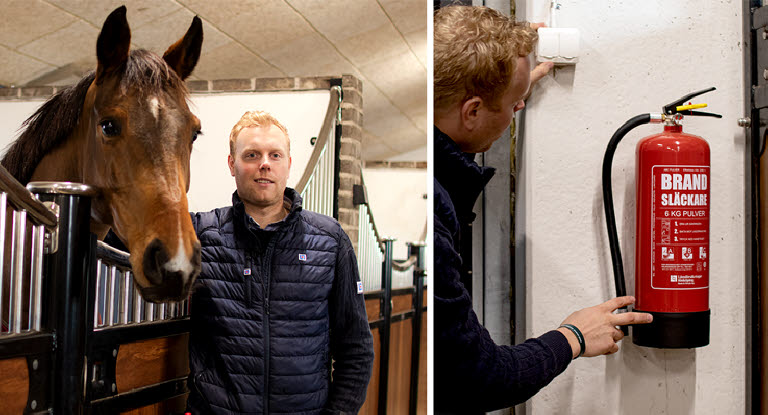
x,y
169,278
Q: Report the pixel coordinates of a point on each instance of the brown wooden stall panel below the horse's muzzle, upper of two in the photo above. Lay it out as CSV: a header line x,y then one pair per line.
x,y
152,361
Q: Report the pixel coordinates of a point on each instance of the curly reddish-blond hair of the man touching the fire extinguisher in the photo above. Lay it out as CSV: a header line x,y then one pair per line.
x,y
475,52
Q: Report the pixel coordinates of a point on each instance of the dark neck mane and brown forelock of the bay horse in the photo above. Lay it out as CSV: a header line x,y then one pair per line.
x,y
57,118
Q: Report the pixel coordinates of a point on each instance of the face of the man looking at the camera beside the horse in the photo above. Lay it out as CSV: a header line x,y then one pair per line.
x,y
260,165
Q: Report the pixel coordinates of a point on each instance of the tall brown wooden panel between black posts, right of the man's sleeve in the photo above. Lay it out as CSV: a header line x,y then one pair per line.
x,y
399,382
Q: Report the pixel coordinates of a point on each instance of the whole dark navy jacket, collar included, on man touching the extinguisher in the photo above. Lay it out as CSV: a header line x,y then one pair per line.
x,y
472,373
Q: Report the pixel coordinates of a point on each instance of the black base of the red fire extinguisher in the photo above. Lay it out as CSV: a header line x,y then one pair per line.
x,y
673,330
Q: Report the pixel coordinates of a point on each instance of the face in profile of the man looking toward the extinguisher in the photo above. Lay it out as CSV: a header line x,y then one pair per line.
x,y
493,121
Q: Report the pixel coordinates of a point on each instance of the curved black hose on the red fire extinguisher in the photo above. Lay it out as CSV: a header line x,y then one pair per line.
x,y
610,218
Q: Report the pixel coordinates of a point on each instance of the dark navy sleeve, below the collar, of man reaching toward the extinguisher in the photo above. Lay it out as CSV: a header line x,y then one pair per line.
x,y
467,361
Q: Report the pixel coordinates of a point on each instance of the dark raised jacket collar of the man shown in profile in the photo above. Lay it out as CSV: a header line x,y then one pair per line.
x,y
459,175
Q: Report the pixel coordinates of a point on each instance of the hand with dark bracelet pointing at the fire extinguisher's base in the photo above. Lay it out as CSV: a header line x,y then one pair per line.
x,y
599,324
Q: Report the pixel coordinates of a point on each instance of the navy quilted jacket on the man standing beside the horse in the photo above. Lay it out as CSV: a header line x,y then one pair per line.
x,y
270,309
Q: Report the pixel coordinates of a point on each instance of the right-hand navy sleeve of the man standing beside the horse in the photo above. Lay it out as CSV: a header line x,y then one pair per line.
x,y
351,339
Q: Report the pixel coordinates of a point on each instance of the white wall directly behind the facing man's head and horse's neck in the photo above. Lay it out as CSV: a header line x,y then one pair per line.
x,y
301,112
